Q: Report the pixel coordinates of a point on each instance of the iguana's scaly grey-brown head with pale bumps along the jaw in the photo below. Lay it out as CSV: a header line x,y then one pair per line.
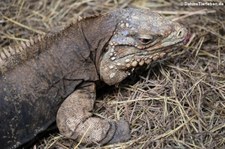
x,y
141,37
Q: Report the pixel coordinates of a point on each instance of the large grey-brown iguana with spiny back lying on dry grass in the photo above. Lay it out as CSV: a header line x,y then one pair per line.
x,y
53,78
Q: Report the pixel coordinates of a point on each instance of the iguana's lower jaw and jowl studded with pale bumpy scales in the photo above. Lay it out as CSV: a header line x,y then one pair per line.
x,y
113,70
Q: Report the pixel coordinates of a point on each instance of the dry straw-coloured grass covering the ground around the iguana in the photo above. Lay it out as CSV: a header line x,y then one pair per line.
x,y
177,103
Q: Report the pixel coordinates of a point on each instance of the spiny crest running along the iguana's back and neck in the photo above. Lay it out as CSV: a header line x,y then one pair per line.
x,y
10,57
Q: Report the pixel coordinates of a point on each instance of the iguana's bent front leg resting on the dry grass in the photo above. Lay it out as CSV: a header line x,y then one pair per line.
x,y
74,119
